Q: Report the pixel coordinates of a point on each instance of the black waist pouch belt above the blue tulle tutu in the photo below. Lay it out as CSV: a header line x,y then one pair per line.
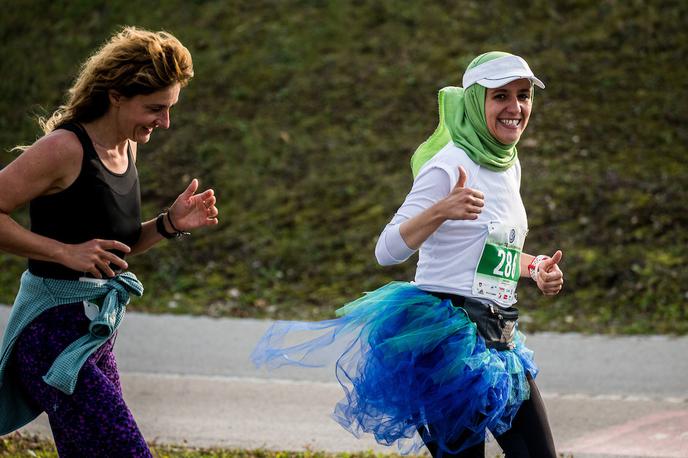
x,y
495,324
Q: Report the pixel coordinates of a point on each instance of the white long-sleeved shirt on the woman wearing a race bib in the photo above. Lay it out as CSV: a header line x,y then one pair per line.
x,y
448,258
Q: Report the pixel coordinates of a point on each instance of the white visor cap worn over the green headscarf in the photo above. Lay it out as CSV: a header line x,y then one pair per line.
x,y
499,72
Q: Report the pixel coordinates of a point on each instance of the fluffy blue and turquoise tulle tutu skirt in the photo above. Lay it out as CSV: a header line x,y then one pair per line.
x,y
411,363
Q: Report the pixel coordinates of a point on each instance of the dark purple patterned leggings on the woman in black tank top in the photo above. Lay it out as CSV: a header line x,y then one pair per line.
x,y
94,421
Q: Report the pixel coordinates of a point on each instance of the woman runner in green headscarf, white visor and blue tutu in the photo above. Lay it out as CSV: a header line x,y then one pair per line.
x,y
440,359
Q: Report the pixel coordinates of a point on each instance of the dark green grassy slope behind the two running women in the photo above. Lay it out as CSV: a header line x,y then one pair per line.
x,y
303,116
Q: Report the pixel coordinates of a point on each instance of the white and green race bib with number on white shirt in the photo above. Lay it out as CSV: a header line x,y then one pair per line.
x,y
499,268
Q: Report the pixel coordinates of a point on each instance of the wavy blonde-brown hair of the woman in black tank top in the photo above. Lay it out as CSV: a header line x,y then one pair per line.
x,y
132,62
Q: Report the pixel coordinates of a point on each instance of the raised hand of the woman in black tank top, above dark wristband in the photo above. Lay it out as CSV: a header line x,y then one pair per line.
x,y
191,211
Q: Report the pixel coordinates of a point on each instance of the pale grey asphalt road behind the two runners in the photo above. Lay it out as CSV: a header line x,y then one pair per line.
x,y
189,380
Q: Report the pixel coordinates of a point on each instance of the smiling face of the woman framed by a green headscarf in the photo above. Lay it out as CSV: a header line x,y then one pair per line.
x,y
507,110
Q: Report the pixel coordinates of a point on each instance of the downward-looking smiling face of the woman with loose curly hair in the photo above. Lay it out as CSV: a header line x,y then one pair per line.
x,y
139,115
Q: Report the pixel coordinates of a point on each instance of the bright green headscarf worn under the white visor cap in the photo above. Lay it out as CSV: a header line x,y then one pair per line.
x,y
462,119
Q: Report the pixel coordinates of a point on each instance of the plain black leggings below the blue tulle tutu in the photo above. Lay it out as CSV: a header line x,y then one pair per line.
x,y
528,437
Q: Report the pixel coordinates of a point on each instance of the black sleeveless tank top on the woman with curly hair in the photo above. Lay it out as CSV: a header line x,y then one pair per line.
x,y
99,204
